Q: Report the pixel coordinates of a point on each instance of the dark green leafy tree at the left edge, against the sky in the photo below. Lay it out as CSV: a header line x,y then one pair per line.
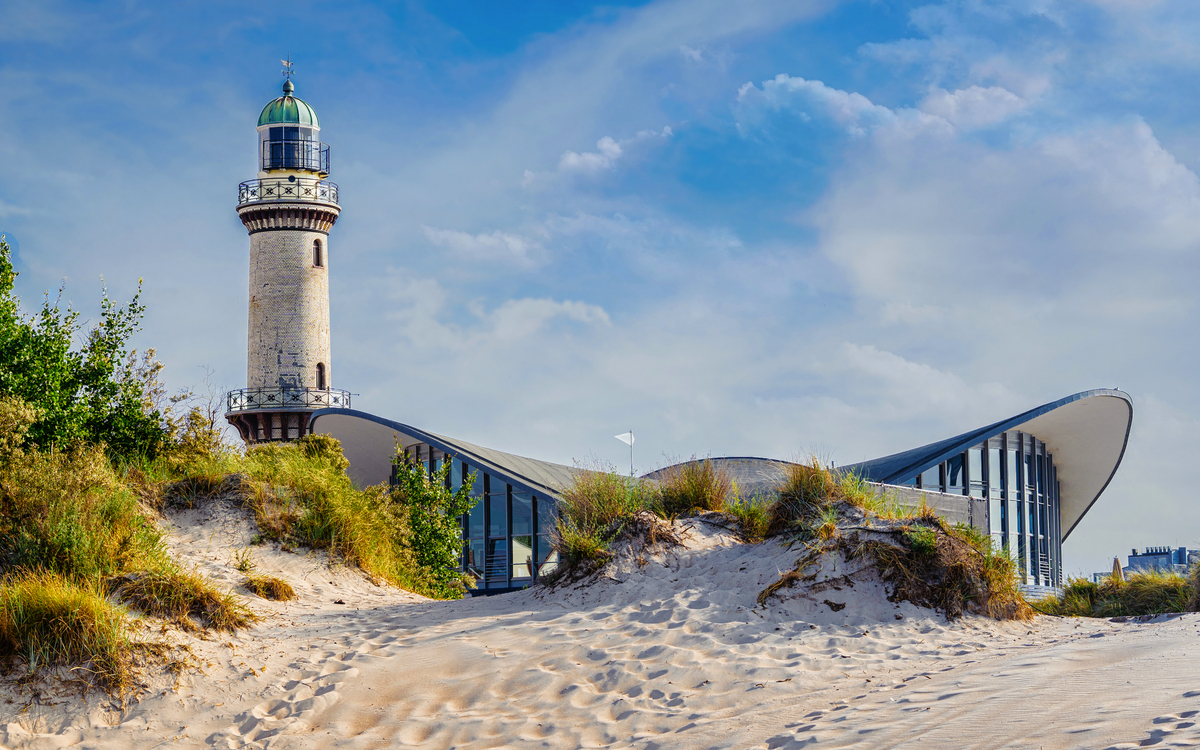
x,y
94,393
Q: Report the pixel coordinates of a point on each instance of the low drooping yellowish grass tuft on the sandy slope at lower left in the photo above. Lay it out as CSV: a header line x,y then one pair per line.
x,y
184,598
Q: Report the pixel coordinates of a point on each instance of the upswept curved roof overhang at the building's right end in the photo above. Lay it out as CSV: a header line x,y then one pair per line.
x,y
1087,434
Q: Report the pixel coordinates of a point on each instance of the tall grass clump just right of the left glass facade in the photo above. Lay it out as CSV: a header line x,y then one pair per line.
x,y
595,509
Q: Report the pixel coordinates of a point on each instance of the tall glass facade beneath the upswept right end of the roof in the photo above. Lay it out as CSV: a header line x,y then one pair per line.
x,y
1017,476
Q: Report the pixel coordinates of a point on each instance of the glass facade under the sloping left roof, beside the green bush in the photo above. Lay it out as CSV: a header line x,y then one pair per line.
x,y
507,536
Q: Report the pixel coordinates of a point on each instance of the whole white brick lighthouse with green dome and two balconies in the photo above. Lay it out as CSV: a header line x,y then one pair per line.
x,y
289,211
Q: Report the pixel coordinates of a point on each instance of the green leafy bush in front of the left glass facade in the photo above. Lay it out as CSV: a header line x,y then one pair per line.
x,y
434,519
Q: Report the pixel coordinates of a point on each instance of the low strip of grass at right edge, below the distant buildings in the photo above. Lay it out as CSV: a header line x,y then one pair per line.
x,y
1142,593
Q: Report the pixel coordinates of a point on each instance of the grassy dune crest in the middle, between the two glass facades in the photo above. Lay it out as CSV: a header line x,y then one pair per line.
x,y
824,513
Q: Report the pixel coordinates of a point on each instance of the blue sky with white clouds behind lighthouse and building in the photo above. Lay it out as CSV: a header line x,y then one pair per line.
x,y
757,229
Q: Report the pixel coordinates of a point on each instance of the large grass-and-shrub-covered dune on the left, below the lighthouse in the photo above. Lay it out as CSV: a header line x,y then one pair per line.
x,y
82,551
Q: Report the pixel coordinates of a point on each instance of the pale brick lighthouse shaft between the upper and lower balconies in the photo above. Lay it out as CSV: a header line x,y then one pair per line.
x,y
289,310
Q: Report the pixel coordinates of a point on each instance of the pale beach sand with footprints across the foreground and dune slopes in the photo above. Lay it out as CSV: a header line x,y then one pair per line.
x,y
668,649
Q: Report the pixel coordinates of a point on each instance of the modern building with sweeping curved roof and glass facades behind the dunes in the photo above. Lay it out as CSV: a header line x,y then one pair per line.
x,y
1027,481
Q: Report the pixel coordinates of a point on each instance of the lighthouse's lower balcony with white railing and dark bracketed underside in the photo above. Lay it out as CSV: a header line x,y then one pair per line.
x,y
263,415
